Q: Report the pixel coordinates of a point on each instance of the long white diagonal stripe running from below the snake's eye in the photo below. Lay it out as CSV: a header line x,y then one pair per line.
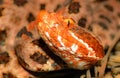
x,y
86,45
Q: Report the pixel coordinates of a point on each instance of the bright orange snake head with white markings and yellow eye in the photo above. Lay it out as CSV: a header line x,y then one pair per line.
x,y
76,46
